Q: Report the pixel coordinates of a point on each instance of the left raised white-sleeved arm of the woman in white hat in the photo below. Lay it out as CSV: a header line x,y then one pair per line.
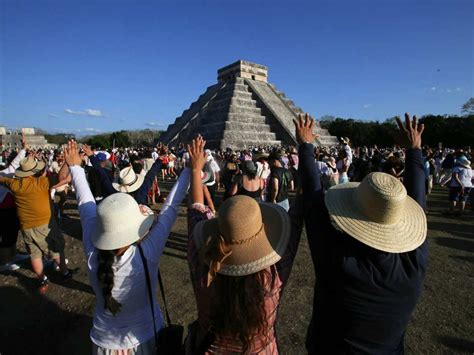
x,y
85,200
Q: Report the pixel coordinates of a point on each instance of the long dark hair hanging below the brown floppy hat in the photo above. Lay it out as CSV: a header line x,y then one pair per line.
x,y
240,309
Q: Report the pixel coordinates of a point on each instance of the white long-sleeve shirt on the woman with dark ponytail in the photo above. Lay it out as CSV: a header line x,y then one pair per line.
x,y
133,324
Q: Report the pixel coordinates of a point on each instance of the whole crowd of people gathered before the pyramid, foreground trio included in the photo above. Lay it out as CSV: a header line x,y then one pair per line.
x,y
363,209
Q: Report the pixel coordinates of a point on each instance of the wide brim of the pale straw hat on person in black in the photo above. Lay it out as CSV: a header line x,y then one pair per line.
x,y
403,236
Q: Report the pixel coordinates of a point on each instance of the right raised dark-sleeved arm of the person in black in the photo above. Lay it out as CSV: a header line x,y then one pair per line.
x,y
409,136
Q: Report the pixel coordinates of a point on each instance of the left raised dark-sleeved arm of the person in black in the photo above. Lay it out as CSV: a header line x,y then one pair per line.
x,y
309,174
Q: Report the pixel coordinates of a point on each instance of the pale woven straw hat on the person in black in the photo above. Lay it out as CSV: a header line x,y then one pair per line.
x,y
378,213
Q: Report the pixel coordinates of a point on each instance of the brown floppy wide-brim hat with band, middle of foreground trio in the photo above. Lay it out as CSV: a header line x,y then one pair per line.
x,y
257,235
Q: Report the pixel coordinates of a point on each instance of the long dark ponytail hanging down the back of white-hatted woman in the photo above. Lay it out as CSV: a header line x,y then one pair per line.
x,y
105,275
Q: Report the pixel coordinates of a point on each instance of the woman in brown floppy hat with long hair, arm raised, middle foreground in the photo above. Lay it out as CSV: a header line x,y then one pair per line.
x,y
239,264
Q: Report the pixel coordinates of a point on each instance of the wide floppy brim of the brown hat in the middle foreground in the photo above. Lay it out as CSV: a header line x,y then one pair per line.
x,y
260,253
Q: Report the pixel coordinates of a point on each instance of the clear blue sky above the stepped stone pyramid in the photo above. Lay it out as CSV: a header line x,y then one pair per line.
x,y
80,66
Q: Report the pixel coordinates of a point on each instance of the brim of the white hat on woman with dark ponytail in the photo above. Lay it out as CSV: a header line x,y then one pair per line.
x,y
128,234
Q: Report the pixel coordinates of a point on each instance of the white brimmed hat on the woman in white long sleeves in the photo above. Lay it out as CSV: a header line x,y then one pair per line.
x,y
119,222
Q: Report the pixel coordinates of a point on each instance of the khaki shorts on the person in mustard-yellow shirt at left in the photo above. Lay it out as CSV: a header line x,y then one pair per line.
x,y
46,239
